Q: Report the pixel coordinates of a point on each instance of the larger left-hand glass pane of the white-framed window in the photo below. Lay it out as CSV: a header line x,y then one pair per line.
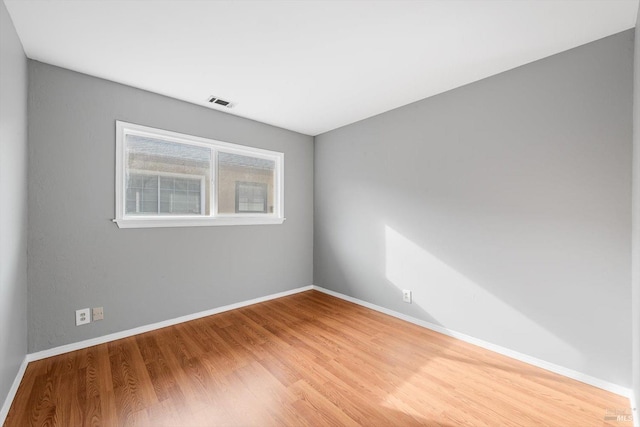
x,y
166,178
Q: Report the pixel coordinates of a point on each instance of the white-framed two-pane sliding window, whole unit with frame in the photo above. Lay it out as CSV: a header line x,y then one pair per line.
x,y
167,179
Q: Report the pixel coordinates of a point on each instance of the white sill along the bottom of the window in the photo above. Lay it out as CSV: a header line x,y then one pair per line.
x,y
155,222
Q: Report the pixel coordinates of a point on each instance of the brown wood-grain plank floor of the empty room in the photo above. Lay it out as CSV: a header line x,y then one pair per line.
x,y
307,359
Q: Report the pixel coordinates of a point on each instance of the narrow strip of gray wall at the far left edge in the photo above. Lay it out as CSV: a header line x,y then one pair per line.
x,y
13,207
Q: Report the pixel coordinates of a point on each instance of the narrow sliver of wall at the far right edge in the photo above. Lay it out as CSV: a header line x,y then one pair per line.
x,y
635,280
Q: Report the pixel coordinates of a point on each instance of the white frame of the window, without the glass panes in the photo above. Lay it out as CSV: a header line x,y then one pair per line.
x,y
214,219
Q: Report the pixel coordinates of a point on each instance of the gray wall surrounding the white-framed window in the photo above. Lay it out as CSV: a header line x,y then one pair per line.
x,y
78,258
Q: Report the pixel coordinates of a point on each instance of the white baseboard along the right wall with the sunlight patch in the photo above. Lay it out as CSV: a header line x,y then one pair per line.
x,y
570,373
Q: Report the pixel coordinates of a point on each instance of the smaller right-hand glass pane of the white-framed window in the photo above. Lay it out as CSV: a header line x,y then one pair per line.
x,y
245,184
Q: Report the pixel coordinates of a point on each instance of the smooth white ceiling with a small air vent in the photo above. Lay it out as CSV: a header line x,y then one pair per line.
x,y
308,66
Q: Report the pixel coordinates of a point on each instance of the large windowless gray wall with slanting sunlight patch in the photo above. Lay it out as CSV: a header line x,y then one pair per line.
x,y
504,205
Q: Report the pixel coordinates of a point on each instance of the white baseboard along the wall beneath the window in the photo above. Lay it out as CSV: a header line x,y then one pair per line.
x,y
147,328
